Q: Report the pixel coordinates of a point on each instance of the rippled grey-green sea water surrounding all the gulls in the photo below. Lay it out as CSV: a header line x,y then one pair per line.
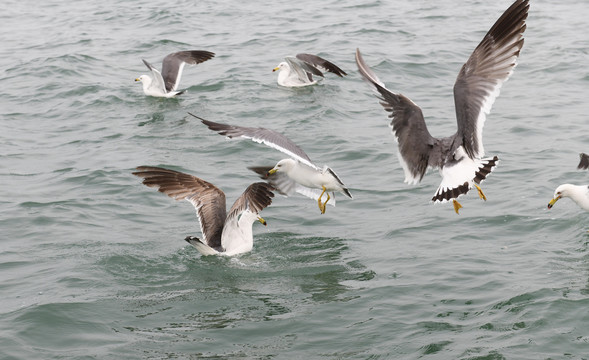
x,y
93,264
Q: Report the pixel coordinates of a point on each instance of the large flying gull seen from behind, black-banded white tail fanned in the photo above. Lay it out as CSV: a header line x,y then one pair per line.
x,y
458,157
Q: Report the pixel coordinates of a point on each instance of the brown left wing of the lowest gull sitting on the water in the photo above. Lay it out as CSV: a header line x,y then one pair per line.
x,y
208,200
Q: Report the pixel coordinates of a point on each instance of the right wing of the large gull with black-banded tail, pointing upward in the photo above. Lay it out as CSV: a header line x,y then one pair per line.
x,y
482,76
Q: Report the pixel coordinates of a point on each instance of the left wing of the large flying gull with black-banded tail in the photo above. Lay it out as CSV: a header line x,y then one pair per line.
x,y
415,141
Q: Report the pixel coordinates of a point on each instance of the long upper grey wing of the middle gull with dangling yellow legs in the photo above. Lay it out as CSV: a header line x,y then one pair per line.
x,y
264,136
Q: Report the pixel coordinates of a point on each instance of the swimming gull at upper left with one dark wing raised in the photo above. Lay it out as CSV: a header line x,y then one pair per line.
x,y
165,84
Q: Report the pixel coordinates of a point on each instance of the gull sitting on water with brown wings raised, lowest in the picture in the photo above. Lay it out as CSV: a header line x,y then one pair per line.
x,y
223,233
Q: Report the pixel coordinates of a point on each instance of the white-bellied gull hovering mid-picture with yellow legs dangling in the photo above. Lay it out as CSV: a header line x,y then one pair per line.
x,y
298,174
